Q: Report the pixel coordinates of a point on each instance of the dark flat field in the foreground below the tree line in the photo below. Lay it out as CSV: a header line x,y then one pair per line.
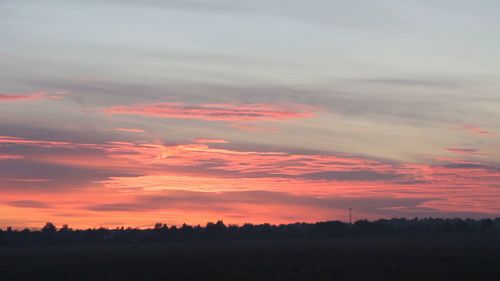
x,y
446,258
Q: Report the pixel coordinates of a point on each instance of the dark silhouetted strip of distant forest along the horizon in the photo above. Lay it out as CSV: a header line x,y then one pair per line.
x,y
396,227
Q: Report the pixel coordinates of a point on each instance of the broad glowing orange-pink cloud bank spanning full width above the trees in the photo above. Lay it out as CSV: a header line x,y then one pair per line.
x,y
138,183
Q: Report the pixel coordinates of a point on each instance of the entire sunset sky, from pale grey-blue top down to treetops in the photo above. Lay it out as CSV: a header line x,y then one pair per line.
x,y
126,113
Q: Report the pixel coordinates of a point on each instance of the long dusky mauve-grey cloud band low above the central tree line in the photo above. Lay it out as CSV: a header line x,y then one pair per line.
x,y
230,200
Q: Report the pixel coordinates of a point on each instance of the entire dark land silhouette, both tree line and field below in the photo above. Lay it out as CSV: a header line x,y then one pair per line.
x,y
394,249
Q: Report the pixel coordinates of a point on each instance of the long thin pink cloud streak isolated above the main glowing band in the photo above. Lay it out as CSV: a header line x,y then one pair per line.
x,y
217,112
